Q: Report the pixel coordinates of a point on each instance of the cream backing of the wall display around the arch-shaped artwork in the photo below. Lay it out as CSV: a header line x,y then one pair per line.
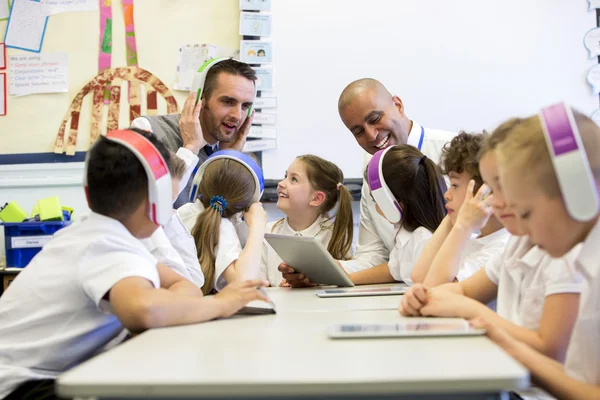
x,y
32,122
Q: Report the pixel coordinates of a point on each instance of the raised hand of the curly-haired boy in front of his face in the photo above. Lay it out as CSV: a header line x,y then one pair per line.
x,y
475,210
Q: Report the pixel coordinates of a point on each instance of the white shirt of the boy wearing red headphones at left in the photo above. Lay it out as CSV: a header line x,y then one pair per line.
x,y
53,316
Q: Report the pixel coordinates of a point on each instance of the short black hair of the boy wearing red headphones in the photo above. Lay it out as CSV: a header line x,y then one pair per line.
x,y
116,180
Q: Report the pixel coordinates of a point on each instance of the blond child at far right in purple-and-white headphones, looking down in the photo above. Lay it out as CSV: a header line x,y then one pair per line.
x,y
558,206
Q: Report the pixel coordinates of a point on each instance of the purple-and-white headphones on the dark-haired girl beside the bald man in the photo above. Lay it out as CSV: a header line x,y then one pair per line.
x,y
379,189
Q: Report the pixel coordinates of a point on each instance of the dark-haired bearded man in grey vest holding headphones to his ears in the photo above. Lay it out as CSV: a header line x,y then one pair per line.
x,y
219,121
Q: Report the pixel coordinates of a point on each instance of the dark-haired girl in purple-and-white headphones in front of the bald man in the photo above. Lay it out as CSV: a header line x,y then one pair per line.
x,y
408,189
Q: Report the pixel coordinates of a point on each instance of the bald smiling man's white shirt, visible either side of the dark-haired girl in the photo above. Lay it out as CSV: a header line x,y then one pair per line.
x,y
376,234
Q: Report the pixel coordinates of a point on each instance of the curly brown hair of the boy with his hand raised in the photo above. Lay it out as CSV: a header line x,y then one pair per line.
x,y
462,155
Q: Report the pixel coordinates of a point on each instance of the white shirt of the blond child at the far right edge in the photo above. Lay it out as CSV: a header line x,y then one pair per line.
x,y
583,353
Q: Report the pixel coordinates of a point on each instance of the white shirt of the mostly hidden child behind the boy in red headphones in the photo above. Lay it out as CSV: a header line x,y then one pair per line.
x,y
174,247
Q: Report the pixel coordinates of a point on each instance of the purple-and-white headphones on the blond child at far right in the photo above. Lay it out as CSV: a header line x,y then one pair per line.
x,y
570,162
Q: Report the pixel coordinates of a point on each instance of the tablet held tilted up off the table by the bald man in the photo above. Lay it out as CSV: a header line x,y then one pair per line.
x,y
309,257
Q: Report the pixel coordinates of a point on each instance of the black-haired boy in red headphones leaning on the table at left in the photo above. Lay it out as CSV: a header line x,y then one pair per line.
x,y
95,277
